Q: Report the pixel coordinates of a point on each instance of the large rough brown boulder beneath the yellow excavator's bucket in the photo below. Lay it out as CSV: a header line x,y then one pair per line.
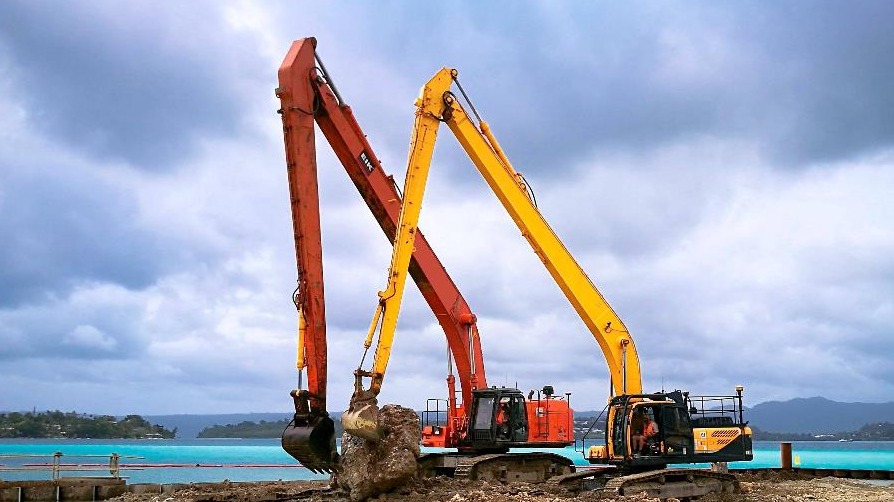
x,y
370,469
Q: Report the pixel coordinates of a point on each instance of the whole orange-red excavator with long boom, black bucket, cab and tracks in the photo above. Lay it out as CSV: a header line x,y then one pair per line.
x,y
503,417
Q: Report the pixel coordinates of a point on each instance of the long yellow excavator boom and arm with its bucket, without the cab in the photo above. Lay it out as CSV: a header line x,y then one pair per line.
x,y
436,104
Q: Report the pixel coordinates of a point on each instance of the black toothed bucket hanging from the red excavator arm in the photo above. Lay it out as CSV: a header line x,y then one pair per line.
x,y
311,441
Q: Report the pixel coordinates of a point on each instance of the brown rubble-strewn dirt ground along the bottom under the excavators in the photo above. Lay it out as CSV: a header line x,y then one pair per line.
x,y
764,488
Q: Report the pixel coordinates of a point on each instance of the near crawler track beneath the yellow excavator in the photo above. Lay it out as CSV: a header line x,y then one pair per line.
x,y
677,483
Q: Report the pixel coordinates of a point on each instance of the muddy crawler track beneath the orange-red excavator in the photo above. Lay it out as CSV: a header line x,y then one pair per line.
x,y
524,467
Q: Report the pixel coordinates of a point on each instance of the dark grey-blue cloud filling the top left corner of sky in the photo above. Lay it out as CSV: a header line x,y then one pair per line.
x,y
115,87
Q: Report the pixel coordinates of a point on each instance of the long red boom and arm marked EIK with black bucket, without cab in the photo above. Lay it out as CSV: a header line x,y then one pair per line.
x,y
308,95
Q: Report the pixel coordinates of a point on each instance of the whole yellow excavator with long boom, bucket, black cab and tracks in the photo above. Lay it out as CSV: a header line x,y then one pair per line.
x,y
644,431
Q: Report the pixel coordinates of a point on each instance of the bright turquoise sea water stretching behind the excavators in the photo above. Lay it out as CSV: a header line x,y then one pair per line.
x,y
223,459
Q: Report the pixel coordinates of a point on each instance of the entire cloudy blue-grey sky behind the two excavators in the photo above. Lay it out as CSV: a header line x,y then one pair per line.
x,y
724,173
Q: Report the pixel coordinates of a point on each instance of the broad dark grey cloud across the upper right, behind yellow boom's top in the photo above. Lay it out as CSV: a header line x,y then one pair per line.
x,y
806,85
